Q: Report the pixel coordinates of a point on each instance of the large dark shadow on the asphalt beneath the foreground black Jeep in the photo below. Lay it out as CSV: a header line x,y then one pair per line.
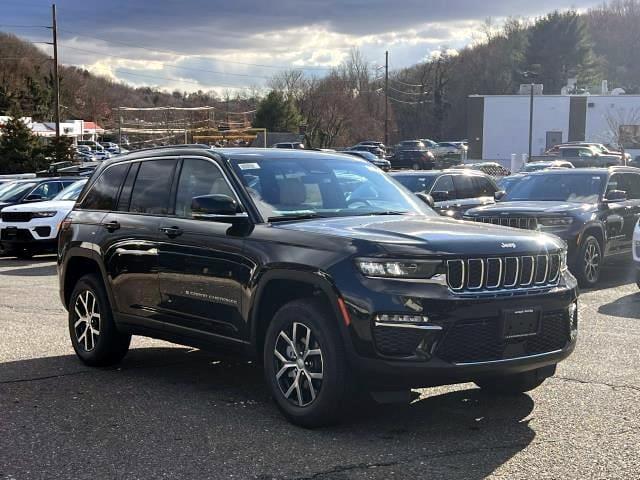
x,y
176,412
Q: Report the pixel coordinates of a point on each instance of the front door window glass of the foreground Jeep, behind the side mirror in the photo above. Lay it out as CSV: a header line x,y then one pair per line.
x,y
197,178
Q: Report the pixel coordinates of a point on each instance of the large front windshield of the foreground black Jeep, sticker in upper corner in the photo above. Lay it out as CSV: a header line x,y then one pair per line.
x,y
289,187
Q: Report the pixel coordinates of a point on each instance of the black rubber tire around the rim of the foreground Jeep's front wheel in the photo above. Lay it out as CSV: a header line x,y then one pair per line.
x,y
325,409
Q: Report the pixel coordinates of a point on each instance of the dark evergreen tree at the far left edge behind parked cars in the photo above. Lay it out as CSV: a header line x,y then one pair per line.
x,y
17,146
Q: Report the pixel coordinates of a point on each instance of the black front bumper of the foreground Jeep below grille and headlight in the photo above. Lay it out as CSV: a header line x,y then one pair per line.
x,y
469,343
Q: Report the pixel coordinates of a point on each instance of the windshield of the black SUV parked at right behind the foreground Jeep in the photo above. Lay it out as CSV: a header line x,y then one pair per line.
x,y
581,187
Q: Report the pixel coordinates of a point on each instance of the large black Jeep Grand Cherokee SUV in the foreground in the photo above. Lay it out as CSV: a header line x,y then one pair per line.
x,y
320,265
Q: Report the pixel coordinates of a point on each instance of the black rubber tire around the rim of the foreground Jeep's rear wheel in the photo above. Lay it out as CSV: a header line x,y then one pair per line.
x,y
111,345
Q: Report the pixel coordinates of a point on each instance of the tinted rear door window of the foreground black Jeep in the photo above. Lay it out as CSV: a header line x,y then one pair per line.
x,y
151,192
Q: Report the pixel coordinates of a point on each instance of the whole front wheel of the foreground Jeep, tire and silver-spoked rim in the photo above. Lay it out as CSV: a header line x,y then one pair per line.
x,y
319,367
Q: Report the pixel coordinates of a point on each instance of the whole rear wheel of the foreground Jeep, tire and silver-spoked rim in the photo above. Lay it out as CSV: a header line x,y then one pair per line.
x,y
90,312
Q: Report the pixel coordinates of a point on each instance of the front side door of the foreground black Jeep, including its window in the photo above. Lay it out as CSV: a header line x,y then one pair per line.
x,y
201,259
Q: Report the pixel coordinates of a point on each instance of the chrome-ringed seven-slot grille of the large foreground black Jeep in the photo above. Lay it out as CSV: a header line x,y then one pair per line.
x,y
486,274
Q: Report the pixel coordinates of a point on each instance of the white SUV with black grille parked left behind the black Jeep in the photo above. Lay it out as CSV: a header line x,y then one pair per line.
x,y
32,228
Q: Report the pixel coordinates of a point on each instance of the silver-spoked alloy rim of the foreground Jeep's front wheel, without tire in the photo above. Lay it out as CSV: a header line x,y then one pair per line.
x,y
298,364
